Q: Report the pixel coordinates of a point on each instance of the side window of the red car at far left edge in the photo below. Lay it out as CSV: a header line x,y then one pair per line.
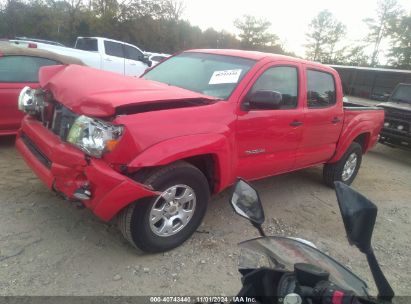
x,y
22,68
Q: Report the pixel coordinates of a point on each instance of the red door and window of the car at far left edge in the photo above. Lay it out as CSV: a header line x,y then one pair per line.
x,y
16,72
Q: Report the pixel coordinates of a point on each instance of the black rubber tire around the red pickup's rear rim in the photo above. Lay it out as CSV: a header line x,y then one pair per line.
x,y
334,172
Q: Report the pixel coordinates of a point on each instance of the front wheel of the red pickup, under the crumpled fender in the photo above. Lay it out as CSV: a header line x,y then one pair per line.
x,y
164,222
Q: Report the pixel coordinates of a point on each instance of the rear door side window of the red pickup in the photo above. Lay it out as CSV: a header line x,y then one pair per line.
x,y
320,89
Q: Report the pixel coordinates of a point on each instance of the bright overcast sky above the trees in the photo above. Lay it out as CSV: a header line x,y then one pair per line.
x,y
289,18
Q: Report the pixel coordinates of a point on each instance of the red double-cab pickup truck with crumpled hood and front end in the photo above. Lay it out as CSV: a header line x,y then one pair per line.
x,y
152,150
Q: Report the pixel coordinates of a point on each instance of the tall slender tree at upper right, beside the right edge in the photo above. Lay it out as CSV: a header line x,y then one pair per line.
x,y
387,10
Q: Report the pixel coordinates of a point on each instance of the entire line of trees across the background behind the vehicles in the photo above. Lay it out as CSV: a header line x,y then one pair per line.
x,y
158,25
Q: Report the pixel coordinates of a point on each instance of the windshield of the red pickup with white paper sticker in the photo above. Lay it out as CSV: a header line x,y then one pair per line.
x,y
209,74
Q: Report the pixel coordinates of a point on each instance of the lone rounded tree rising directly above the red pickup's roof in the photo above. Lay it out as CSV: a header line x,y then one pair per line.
x,y
254,33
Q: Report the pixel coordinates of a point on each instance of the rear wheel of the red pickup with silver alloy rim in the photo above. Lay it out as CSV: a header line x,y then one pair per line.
x,y
346,169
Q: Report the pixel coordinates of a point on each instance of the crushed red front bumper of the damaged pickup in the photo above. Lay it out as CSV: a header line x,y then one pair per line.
x,y
64,169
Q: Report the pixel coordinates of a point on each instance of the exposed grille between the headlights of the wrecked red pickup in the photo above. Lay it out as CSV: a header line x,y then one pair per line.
x,y
58,119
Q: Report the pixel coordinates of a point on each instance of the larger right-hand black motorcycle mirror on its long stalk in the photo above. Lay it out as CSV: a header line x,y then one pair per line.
x,y
359,215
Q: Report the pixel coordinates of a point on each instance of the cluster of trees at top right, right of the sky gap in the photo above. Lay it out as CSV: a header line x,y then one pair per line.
x,y
326,36
